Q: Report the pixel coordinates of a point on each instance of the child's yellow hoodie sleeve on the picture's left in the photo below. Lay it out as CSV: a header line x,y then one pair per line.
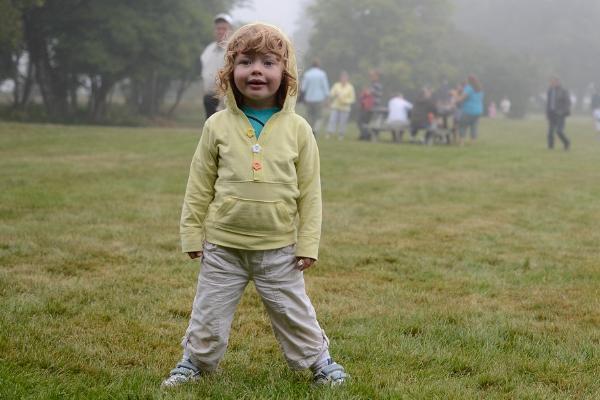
x,y
199,193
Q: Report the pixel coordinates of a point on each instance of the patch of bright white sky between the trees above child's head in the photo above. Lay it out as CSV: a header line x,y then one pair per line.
x,y
283,13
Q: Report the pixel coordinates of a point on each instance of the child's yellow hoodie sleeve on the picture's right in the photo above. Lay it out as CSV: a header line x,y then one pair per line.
x,y
309,201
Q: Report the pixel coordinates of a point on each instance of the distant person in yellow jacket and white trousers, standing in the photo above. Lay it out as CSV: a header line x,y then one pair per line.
x,y
342,97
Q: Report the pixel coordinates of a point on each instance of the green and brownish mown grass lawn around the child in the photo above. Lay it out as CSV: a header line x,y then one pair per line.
x,y
445,272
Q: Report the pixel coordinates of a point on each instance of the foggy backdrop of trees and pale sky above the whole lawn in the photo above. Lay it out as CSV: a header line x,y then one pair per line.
x,y
128,62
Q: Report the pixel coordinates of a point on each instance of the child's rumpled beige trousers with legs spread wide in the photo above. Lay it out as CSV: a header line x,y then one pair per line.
x,y
223,277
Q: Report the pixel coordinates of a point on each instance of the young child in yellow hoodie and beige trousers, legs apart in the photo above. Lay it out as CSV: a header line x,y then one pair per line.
x,y
252,210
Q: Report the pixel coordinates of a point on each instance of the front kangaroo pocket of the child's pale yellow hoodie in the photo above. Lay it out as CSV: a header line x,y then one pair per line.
x,y
253,217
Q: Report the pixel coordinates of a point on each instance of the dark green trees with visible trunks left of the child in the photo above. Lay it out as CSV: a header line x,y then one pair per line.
x,y
146,47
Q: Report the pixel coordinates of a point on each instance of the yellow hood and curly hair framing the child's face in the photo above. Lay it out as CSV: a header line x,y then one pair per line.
x,y
259,37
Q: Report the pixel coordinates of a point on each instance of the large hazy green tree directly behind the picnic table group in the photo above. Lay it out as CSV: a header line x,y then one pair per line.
x,y
400,37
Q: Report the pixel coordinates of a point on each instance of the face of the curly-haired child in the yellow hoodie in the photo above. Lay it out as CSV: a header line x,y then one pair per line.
x,y
258,77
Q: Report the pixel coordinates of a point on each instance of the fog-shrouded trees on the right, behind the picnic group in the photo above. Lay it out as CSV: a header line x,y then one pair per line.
x,y
512,46
